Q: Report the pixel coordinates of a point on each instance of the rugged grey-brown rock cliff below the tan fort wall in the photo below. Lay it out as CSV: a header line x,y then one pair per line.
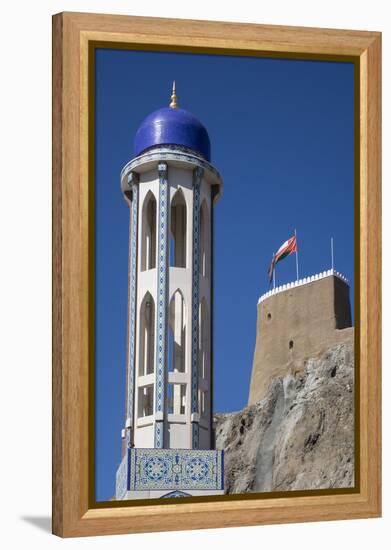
x,y
300,435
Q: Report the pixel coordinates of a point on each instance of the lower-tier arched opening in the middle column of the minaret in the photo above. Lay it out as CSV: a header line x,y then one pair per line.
x,y
177,333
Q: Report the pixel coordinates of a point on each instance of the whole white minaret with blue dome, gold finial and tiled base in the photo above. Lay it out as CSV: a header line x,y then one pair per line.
x,y
170,187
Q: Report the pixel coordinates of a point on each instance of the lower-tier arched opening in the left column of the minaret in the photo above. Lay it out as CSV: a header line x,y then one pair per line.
x,y
147,336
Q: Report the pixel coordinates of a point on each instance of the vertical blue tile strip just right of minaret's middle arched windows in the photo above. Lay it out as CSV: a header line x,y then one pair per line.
x,y
197,177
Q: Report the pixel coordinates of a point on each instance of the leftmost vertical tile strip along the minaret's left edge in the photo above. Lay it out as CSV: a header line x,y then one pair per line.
x,y
133,179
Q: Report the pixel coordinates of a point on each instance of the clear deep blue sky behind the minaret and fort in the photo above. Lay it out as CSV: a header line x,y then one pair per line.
x,y
282,136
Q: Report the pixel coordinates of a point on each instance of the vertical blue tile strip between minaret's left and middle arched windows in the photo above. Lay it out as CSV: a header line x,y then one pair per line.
x,y
162,293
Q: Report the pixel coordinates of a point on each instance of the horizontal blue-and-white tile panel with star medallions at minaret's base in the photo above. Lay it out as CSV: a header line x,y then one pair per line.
x,y
175,469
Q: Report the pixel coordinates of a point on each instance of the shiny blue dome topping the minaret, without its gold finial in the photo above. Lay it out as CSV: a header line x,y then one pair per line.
x,y
172,126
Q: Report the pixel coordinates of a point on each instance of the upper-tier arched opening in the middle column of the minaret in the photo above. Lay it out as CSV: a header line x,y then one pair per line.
x,y
178,230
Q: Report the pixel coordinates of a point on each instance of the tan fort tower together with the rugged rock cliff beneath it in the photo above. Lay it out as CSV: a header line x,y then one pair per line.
x,y
297,431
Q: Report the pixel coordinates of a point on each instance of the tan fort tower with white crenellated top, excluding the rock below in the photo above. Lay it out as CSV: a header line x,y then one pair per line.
x,y
298,321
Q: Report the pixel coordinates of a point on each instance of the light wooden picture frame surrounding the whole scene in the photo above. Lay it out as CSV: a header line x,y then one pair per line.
x,y
74,512
